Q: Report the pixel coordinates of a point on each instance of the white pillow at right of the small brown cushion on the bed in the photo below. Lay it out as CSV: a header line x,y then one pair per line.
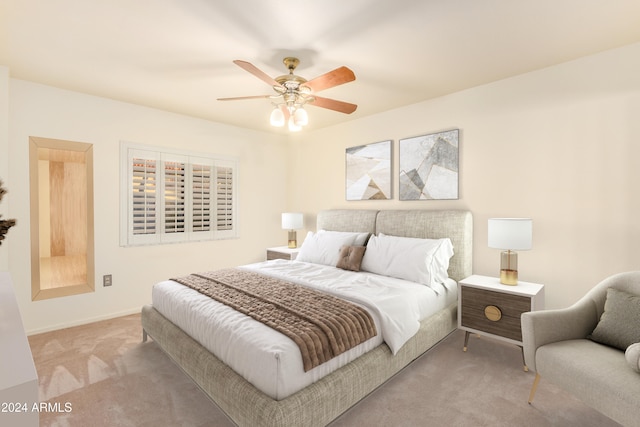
x,y
423,261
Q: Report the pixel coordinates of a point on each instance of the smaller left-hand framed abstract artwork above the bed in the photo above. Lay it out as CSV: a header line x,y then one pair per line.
x,y
368,171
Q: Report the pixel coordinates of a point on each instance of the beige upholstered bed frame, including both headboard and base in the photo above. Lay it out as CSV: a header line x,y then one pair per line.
x,y
324,400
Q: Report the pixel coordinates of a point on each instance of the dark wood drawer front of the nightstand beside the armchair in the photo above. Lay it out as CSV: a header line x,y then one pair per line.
x,y
474,302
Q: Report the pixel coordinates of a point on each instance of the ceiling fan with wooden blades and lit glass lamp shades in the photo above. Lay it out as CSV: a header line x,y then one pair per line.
x,y
294,92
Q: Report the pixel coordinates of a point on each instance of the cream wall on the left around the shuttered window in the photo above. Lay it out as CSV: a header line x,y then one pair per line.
x,y
37,110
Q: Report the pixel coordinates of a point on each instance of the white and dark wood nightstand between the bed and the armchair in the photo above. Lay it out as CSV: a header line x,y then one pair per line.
x,y
487,307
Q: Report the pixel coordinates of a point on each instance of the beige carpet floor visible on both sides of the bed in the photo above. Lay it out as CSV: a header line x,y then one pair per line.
x,y
103,375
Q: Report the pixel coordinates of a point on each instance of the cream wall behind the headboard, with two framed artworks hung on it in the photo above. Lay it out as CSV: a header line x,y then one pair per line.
x,y
560,145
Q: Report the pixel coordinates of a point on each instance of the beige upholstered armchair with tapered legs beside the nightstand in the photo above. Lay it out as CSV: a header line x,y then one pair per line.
x,y
556,346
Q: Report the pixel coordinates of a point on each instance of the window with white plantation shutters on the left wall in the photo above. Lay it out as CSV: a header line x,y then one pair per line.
x,y
176,197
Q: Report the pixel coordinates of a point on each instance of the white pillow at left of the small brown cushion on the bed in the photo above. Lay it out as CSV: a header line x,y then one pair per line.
x,y
324,246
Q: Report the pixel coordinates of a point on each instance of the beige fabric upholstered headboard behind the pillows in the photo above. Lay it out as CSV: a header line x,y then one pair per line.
x,y
425,224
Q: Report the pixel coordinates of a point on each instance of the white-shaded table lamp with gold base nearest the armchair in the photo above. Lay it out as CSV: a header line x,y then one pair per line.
x,y
510,235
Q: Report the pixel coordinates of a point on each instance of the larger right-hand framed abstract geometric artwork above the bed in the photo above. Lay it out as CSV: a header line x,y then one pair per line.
x,y
429,166
